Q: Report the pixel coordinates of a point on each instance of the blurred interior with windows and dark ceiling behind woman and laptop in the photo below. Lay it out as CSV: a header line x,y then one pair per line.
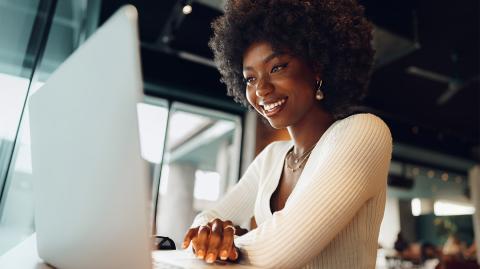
x,y
198,142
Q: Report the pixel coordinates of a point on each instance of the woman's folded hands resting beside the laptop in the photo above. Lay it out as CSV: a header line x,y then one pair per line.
x,y
214,240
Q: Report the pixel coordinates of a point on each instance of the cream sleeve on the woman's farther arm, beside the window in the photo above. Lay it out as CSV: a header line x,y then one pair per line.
x,y
238,204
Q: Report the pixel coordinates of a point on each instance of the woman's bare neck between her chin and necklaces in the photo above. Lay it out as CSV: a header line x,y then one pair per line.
x,y
307,131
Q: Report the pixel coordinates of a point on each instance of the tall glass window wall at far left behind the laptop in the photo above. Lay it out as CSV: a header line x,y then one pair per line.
x,y
17,47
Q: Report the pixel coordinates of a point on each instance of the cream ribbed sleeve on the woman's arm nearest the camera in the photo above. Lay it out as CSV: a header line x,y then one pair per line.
x,y
351,168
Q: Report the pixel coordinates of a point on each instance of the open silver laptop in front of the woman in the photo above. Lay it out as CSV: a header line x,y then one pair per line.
x,y
90,183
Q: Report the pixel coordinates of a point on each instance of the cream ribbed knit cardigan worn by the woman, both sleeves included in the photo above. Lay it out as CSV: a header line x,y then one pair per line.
x,y
332,217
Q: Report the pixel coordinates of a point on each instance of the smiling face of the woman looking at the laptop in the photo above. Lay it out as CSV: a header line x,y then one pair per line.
x,y
280,87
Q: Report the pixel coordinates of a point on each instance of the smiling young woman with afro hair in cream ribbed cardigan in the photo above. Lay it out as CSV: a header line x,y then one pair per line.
x,y
319,198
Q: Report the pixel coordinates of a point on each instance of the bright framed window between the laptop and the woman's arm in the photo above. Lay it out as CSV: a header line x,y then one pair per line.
x,y
201,162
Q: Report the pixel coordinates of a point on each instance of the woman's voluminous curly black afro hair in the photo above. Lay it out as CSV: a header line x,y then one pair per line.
x,y
332,36
